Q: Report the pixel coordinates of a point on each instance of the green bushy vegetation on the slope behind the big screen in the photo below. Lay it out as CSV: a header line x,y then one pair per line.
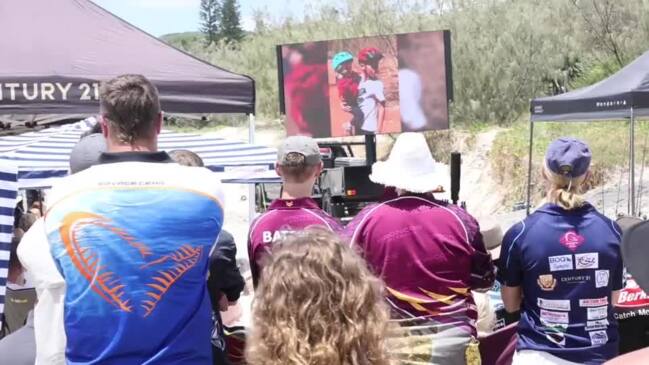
x,y
505,52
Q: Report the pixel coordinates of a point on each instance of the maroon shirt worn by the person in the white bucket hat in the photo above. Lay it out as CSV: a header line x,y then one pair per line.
x,y
429,254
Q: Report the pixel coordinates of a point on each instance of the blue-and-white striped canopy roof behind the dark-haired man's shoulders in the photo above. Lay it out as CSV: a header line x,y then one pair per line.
x,y
44,155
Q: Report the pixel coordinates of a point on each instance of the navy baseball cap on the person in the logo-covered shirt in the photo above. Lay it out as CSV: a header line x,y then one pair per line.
x,y
568,156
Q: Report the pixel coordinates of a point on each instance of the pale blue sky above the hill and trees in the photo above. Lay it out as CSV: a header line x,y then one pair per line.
x,y
159,17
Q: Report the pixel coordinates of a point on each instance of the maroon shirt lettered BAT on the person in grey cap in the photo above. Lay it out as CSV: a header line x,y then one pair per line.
x,y
283,217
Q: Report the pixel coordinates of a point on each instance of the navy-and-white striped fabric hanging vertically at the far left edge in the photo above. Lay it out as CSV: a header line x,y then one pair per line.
x,y
8,192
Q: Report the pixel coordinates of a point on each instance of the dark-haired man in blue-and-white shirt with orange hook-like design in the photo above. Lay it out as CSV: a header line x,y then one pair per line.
x,y
130,238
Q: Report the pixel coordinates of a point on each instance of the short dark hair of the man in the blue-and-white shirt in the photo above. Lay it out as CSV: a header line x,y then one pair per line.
x,y
130,104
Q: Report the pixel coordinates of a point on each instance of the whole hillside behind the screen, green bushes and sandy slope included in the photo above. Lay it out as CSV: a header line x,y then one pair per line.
x,y
504,53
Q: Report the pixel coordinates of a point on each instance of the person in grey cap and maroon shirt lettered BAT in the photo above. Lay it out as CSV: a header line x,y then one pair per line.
x,y
298,164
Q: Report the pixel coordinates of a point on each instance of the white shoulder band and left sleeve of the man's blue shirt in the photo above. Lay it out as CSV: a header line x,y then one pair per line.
x,y
34,250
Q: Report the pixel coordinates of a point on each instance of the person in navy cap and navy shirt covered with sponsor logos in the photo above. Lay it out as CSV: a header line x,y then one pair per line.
x,y
561,267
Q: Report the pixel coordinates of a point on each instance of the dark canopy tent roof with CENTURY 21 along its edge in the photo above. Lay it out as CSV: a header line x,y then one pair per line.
x,y
55,52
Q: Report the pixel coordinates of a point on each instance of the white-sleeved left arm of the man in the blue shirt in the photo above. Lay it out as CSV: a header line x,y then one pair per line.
x,y
34,254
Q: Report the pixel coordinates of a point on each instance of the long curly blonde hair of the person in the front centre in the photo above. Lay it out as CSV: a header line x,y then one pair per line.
x,y
318,304
